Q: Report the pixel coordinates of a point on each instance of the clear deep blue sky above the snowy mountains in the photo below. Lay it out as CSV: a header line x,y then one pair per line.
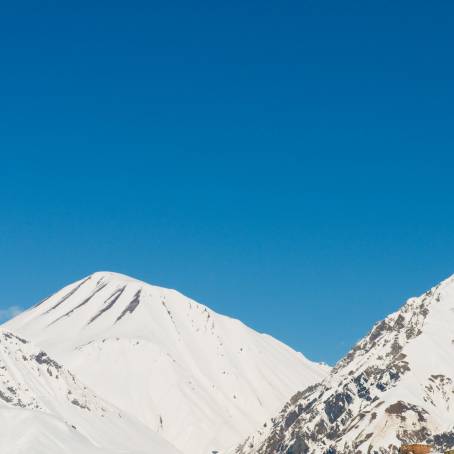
x,y
287,163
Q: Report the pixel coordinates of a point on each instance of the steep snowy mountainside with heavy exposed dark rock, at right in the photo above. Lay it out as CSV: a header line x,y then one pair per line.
x,y
395,386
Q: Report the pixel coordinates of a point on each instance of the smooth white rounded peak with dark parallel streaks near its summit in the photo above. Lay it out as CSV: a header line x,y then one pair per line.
x,y
202,380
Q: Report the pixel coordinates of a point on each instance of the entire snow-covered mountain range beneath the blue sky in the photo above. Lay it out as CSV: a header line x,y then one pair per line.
x,y
112,365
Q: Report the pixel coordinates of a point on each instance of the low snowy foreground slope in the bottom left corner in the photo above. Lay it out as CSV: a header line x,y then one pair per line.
x,y
45,409
